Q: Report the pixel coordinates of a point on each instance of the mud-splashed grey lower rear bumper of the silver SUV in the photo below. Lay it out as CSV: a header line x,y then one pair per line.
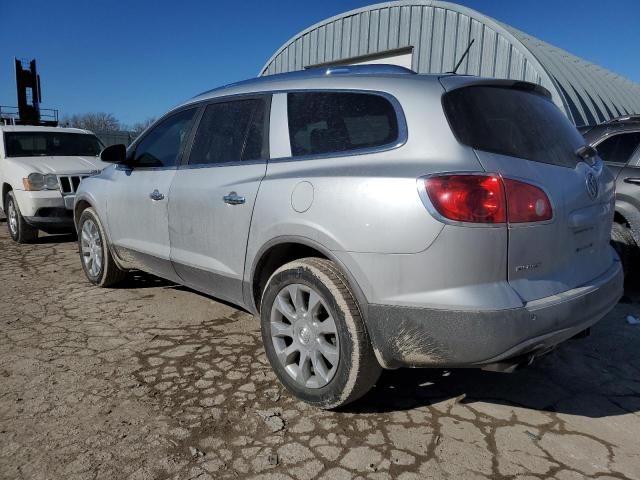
x,y
420,337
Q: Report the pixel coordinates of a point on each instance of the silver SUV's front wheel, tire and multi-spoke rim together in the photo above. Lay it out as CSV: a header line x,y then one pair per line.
x,y
95,256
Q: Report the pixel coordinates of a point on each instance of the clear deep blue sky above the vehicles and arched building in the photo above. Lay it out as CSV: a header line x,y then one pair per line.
x,y
137,58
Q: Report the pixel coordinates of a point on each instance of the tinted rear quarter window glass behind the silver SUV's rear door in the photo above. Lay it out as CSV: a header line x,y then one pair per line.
x,y
337,122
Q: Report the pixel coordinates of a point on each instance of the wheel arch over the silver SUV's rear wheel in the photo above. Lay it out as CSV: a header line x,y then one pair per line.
x,y
278,251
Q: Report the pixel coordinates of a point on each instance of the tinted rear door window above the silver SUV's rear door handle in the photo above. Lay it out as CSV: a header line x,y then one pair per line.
x,y
230,132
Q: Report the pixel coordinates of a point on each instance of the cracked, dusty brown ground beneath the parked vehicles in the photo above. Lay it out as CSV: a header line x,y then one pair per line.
x,y
152,380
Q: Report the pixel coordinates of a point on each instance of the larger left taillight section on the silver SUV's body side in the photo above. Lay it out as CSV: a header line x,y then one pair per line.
x,y
468,198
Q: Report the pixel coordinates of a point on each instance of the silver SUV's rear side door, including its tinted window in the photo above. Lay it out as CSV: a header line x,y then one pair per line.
x,y
213,195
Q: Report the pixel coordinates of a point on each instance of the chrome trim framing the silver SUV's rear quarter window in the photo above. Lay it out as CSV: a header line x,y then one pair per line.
x,y
400,140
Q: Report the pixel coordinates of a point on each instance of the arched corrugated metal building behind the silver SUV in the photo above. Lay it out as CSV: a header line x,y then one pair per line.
x,y
429,36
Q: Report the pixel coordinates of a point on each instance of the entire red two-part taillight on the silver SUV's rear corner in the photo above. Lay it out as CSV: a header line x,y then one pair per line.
x,y
487,199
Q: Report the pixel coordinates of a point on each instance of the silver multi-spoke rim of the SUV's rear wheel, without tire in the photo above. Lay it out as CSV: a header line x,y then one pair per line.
x,y
304,335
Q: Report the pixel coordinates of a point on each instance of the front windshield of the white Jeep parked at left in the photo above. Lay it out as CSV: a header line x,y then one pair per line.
x,y
34,144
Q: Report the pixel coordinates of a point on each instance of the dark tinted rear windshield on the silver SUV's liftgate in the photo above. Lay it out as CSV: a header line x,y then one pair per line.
x,y
513,122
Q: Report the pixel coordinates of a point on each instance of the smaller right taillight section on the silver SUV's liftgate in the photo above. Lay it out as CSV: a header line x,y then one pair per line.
x,y
526,203
